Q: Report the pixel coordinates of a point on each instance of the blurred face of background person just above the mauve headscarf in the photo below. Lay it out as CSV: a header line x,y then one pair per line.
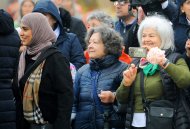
x,y
27,7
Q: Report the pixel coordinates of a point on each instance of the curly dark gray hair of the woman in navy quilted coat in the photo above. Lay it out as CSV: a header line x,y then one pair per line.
x,y
111,39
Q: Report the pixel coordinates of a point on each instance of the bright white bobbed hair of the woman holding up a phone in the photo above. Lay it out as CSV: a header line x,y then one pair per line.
x,y
163,28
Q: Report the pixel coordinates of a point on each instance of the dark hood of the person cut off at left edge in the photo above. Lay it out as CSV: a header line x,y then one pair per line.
x,y
6,23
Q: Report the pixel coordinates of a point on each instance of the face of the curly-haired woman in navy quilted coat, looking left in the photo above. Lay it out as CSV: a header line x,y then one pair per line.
x,y
96,47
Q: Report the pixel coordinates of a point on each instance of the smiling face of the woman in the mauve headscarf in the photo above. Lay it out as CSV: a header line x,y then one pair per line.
x,y
25,35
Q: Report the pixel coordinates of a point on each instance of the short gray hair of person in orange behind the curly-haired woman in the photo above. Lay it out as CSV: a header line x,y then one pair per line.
x,y
102,17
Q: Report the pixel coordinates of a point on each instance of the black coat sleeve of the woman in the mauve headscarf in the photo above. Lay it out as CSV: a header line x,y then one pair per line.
x,y
64,89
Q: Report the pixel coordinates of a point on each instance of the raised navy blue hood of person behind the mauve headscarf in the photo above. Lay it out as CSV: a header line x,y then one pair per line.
x,y
44,6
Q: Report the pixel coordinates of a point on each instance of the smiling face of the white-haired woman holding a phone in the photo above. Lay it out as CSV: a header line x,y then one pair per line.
x,y
150,38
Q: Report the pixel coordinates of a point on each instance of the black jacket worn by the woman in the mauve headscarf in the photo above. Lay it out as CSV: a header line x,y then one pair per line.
x,y
55,91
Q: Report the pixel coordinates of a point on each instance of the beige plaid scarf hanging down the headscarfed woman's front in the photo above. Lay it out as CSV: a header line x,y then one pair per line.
x,y
31,108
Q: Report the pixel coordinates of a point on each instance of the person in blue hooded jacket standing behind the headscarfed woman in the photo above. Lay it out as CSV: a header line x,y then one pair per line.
x,y
67,43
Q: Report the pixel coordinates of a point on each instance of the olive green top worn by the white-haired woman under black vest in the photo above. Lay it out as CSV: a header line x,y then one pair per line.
x,y
179,72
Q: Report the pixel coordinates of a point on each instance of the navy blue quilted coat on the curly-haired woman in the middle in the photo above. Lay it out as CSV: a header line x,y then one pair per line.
x,y
105,76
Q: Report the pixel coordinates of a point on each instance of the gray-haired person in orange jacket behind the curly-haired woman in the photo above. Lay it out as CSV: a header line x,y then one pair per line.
x,y
100,18
